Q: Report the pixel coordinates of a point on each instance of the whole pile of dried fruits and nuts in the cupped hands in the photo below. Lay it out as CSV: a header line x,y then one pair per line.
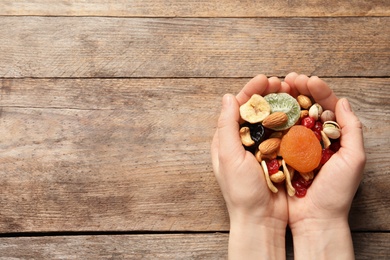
x,y
291,138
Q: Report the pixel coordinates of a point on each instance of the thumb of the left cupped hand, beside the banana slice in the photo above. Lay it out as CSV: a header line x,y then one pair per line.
x,y
229,146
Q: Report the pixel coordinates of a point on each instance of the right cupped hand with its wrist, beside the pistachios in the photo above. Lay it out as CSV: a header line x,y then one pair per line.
x,y
319,221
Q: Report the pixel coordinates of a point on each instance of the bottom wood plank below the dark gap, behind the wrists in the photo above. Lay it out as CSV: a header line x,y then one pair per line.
x,y
164,246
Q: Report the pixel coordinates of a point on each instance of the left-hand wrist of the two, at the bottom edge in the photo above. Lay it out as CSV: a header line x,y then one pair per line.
x,y
257,240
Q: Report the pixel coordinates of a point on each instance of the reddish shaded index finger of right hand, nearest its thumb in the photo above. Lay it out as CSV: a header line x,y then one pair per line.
x,y
322,93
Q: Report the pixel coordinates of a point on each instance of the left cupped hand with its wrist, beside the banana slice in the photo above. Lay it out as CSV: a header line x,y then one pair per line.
x,y
258,217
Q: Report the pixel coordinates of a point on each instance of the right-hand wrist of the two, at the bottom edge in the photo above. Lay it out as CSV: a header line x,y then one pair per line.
x,y
322,239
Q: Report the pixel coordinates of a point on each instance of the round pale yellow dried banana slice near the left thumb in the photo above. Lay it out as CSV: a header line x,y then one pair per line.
x,y
255,109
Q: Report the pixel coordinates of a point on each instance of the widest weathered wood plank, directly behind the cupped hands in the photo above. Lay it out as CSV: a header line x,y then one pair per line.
x,y
133,154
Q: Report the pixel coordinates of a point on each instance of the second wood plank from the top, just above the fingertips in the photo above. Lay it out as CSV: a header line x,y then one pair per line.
x,y
159,47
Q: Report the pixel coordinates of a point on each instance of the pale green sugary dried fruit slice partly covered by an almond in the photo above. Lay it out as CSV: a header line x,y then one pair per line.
x,y
283,102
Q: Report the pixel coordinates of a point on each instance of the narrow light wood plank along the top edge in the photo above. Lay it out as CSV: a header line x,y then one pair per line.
x,y
201,8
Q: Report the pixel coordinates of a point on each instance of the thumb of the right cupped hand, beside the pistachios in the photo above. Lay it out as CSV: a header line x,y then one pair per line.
x,y
352,144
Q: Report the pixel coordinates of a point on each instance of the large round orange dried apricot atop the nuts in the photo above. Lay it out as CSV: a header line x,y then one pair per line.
x,y
301,149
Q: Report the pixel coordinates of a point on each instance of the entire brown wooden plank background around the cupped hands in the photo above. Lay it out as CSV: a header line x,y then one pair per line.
x,y
107,110
